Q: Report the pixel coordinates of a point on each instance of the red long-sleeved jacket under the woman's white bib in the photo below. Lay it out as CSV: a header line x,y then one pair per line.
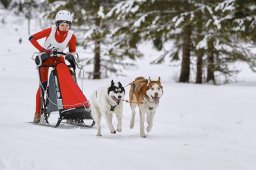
x,y
59,36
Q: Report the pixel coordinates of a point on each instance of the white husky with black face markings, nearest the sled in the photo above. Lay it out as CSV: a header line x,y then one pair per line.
x,y
105,102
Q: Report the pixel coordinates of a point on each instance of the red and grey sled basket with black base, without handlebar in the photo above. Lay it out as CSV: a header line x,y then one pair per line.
x,y
65,96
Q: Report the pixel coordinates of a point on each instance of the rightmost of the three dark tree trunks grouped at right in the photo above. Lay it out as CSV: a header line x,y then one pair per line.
x,y
210,62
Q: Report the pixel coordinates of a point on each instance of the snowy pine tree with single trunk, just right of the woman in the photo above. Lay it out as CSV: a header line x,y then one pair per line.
x,y
96,30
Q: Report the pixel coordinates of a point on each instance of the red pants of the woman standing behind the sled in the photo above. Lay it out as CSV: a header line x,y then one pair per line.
x,y
44,78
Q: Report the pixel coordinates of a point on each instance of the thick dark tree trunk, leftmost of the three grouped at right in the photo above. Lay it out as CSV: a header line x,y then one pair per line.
x,y
185,65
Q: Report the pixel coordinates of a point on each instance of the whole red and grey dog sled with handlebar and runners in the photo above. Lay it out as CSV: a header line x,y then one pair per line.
x,y
61,92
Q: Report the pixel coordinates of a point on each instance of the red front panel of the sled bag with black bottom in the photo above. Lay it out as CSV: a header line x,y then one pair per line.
x,y
71,102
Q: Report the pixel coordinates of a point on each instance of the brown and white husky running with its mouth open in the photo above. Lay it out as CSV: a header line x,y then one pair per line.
x,y
146,94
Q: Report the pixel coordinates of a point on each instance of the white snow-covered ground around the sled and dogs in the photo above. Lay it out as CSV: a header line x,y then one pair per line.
x,y
197,127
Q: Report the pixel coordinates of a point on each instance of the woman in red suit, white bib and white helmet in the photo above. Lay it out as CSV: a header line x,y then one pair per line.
x,y
58,37
